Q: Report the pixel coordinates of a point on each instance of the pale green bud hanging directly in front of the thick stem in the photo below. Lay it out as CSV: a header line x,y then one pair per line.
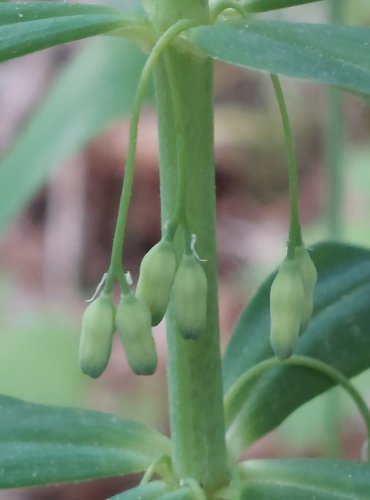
x,y
189,293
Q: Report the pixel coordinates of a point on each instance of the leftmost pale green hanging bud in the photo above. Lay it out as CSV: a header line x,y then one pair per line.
x,y
96,338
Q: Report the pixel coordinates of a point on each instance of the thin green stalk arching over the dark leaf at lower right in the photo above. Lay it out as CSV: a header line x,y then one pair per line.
x,y
237,390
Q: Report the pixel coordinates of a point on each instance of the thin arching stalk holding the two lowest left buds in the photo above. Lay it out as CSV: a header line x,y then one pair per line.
x,y
115,269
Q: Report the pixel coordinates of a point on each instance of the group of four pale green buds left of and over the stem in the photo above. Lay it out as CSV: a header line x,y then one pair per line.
x,y
159,280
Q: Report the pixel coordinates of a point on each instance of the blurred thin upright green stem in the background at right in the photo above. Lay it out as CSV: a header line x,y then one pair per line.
x,y
334,140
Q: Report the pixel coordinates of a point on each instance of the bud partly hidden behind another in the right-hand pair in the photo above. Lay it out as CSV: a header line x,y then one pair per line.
x,y
308,273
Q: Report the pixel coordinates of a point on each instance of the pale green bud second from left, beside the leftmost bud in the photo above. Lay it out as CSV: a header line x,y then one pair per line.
x,y
133,322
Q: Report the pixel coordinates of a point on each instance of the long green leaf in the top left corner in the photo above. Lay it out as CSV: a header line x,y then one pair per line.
x,y
25,28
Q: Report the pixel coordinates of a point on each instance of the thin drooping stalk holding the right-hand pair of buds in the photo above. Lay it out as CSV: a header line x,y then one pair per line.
x,y
295,235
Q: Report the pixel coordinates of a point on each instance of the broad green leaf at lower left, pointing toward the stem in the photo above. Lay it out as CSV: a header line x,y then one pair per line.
x,y
44,444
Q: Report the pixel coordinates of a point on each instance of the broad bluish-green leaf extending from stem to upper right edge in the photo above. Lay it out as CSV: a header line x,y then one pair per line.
x,y
333,54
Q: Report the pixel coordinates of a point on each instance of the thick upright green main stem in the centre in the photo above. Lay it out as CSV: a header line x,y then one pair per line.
x,y
194,367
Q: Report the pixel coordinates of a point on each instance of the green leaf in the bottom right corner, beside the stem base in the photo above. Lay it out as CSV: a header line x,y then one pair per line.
x,y
305,479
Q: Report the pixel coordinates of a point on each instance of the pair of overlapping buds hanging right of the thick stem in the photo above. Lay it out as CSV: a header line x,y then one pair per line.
x,y
291,301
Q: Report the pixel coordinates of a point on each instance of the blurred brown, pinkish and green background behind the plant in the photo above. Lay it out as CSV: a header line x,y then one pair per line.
x,y
57,234
